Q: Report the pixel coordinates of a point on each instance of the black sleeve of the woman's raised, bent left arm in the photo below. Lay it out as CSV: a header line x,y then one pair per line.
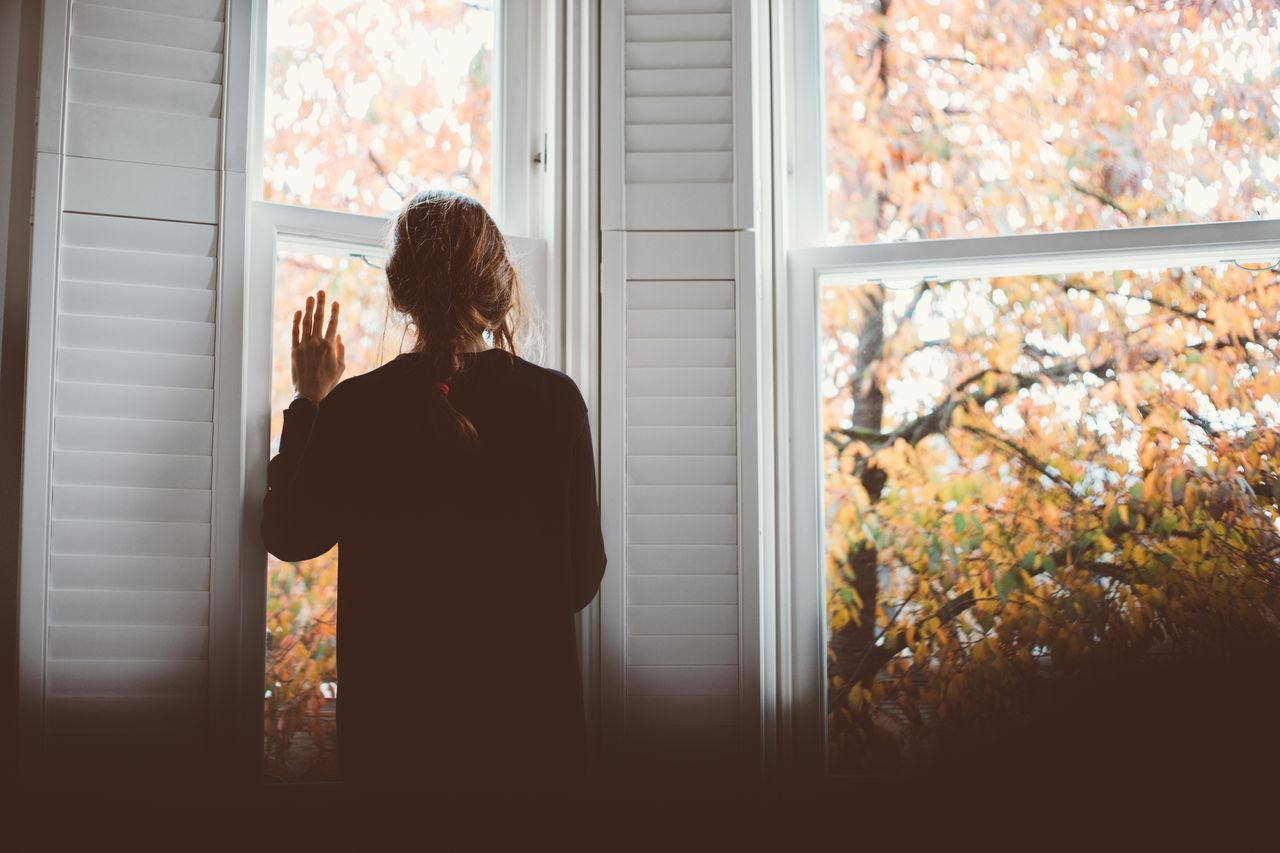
x,y
300,512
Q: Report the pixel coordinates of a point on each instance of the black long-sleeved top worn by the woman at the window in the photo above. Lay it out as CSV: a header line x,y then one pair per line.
x,y
460,571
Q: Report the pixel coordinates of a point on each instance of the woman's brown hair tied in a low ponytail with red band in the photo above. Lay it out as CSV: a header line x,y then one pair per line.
x,y
450,272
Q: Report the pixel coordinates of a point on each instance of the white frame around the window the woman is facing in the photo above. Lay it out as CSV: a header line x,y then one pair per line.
x,y
529,194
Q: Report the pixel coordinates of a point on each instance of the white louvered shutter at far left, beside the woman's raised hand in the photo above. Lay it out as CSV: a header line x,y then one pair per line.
x,y
130,270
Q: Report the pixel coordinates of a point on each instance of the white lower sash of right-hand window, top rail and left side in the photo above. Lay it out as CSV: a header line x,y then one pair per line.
x,y
802,619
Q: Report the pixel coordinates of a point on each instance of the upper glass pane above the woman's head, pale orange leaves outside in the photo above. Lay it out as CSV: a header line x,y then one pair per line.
x,y
371,102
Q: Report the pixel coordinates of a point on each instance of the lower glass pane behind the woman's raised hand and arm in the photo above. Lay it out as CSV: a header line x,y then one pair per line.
x,y
303,597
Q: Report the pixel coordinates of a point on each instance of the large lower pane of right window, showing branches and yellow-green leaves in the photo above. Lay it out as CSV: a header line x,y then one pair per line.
x,y
1026,477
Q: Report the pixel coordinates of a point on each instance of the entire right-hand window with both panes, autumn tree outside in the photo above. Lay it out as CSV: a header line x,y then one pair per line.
x,y
1030,381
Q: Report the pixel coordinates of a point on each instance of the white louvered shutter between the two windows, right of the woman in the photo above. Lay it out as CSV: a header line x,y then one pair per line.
x,y
678,685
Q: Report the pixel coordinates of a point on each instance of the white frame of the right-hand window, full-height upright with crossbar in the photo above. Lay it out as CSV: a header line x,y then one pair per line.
x,y
801,612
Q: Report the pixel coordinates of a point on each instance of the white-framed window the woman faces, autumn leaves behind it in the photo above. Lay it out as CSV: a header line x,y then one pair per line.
x,y
362,106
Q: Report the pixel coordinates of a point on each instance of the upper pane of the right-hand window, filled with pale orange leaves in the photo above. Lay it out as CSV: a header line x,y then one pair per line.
x,y
966,118
